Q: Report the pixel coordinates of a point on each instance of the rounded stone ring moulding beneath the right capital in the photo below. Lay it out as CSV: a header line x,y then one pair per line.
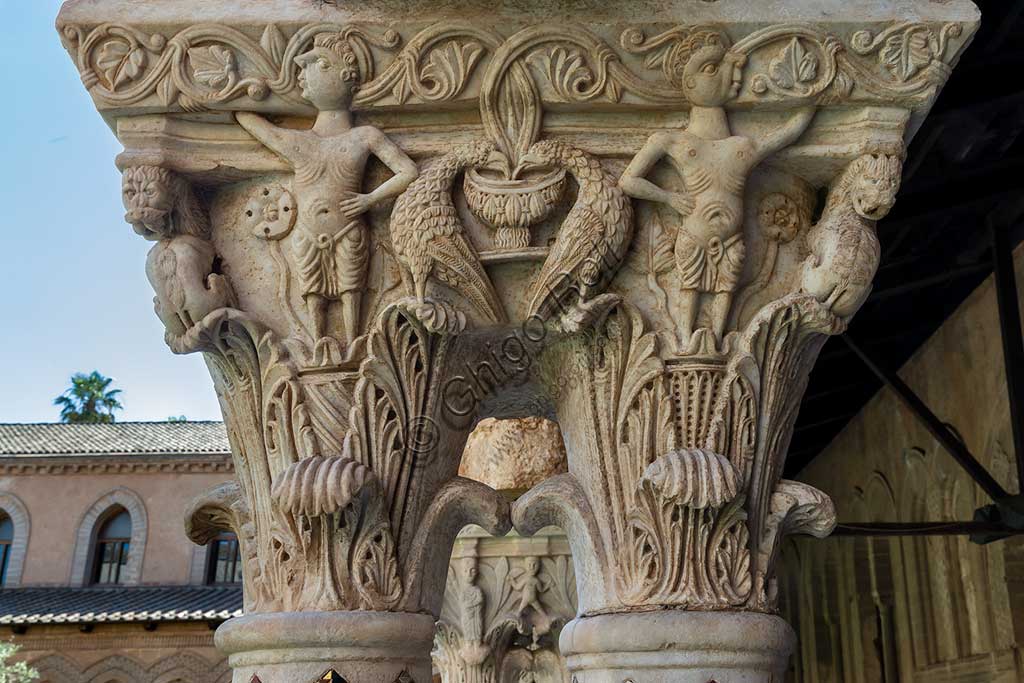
x,y
672,647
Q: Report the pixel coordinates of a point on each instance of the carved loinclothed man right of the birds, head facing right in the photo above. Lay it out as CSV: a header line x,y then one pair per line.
x,y
714,165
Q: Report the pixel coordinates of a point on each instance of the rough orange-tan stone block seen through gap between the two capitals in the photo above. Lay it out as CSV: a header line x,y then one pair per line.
x,y
514,455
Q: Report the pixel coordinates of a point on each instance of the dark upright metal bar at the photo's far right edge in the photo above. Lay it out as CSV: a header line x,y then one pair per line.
x,y
1013,343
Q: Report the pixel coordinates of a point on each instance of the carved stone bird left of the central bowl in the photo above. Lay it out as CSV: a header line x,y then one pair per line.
x,y
428,235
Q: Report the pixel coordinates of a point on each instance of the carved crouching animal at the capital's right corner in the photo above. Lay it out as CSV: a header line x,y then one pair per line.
x,y
845,249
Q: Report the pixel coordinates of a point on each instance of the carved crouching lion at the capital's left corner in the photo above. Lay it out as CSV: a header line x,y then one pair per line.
x,y
183,267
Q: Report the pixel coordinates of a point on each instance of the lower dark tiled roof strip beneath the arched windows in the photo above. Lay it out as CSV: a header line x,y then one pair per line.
x,y
144,604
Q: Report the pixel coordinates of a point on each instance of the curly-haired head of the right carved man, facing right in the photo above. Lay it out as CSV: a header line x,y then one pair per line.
x,y
710,75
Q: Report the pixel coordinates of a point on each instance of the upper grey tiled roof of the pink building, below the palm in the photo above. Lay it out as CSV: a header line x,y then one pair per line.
x,y
116,439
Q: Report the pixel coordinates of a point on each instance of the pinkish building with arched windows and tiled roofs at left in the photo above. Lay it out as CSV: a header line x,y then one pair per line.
x,y
100,583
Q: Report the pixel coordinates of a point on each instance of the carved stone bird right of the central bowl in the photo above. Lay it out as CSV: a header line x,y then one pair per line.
x,y
593,239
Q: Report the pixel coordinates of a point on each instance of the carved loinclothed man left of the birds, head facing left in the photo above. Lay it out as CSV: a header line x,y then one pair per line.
x,y
330,241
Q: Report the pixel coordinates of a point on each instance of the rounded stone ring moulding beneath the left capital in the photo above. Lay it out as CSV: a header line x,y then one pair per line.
x,y
302,648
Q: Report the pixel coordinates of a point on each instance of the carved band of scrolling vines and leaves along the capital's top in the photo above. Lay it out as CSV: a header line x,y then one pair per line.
x,y
208,65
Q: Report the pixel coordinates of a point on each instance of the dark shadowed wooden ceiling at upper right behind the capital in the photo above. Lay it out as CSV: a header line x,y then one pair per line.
x,y
965,172
